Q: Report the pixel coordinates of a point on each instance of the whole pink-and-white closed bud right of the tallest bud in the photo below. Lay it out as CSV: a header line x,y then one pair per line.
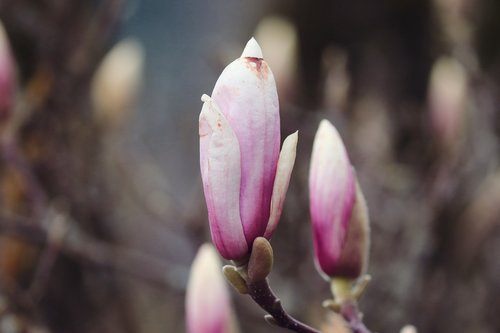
x,y
338,210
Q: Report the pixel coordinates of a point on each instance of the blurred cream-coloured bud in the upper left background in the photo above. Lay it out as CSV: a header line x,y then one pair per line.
x,y
117,82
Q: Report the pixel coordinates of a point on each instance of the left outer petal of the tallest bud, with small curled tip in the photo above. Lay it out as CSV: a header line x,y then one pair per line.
x,y
220,172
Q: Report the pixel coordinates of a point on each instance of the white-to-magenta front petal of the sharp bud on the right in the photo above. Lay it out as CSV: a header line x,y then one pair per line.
x,y
331,188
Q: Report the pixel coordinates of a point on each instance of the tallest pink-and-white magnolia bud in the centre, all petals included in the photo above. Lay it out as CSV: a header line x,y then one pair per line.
x,y
245,178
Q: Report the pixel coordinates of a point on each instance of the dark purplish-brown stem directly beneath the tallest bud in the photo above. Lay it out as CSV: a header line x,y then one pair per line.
x,y
261,293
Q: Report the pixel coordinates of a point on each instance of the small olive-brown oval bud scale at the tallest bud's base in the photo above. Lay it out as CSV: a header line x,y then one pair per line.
x,y
261,260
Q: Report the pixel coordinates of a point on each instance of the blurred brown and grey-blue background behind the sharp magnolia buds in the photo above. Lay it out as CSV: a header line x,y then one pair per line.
x,y
101,205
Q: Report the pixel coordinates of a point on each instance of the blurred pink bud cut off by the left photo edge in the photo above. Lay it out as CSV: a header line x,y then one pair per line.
x,y
7,78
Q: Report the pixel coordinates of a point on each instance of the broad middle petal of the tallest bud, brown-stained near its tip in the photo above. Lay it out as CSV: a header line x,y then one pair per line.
x,y
246,94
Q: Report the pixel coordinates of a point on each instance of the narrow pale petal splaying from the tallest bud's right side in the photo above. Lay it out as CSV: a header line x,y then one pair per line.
x,y
284,171
